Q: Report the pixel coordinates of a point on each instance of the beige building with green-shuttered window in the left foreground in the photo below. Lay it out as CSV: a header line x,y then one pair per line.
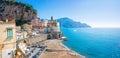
x,y
7,38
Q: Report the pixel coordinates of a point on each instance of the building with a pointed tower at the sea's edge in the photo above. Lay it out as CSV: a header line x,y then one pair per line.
x,y
54,29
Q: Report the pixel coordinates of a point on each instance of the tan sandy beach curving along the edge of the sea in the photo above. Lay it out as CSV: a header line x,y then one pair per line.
x,y
56,49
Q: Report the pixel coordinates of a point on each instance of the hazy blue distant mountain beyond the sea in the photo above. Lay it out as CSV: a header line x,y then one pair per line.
x,y
69,23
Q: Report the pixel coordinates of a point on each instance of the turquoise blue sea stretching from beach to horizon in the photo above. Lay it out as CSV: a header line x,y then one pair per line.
x,y
94,42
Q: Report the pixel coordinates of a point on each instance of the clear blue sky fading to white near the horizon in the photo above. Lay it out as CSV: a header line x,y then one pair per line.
x,y
96,13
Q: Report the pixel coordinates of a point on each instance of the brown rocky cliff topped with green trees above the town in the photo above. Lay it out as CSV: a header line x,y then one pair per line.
x,y
11,9
